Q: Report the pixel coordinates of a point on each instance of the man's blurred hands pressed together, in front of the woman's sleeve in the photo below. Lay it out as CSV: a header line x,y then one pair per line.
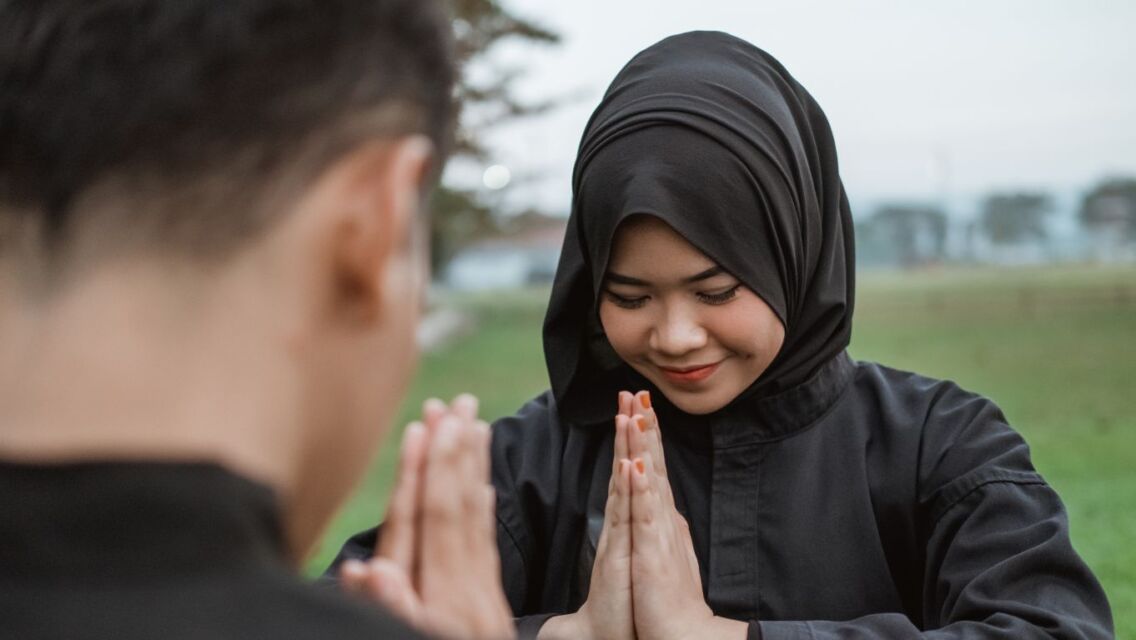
x,y
437,566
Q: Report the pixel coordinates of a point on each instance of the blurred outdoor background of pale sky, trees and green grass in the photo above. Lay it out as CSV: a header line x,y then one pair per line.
x,y
989,151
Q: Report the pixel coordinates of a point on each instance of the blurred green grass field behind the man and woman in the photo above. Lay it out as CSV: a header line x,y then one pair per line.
x,y
1056,348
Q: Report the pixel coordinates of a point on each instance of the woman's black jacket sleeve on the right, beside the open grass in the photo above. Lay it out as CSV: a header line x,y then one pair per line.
x,y
999,562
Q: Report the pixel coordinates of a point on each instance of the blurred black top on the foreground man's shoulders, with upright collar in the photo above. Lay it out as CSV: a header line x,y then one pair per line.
x,y
153,551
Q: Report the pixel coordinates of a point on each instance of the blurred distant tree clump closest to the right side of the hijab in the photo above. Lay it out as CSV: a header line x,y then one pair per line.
x,y
904,235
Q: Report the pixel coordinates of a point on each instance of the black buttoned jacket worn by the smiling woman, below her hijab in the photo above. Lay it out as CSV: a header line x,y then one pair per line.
x,y
868,503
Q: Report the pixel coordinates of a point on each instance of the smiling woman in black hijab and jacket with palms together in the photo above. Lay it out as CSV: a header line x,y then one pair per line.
x,y
825,498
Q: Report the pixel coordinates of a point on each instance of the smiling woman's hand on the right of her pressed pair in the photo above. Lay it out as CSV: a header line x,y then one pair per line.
x,y
666,583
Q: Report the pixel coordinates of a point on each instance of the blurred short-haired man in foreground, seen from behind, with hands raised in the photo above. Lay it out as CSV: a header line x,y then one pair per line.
x,y
211,271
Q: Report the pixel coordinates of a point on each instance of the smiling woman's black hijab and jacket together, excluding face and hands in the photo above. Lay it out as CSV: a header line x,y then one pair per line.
x,y
832,500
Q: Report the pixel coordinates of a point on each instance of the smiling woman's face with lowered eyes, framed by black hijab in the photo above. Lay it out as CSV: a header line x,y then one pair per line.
x,y
681,321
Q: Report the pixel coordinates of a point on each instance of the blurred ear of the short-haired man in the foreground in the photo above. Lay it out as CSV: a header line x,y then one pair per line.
x,y
380,189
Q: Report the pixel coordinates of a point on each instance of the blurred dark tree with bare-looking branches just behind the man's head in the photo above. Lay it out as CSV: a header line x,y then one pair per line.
x,y
487,99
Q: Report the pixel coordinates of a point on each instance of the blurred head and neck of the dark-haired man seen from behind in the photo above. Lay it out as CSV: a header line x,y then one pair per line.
x,y
240,177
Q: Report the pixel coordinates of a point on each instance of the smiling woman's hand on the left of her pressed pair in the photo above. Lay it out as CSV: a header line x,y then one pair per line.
x,y
607,614
